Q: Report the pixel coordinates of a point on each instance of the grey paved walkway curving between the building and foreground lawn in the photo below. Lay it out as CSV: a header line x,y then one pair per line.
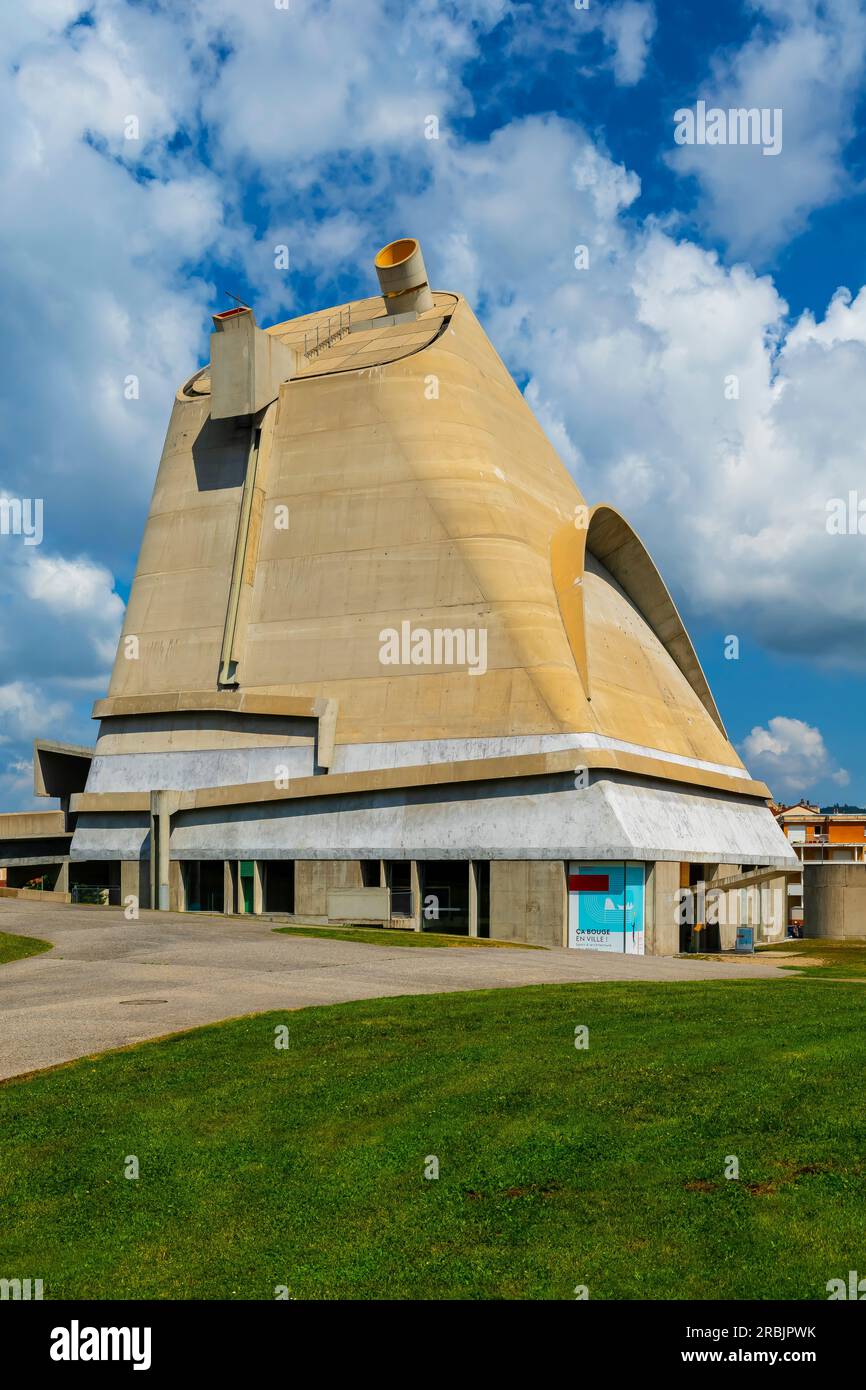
x,y
183,971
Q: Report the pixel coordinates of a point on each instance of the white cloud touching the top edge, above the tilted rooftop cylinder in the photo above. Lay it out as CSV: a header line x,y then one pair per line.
x,y
361,79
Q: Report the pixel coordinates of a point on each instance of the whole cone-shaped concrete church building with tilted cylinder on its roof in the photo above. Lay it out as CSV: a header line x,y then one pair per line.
x,y
382,661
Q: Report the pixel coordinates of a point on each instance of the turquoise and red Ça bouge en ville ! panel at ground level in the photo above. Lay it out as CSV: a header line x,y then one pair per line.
x,y
607,907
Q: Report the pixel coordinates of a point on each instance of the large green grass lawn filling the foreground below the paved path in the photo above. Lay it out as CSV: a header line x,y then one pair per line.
x,y
557,1167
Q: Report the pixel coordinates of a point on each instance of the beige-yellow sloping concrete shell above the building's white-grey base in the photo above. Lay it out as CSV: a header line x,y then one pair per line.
x,y
422,493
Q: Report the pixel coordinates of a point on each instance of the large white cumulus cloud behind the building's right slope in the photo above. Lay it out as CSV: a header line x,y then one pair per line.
x,y
673,386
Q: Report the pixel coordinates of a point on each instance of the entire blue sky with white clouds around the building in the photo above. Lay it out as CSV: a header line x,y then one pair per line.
x,y
307,126
